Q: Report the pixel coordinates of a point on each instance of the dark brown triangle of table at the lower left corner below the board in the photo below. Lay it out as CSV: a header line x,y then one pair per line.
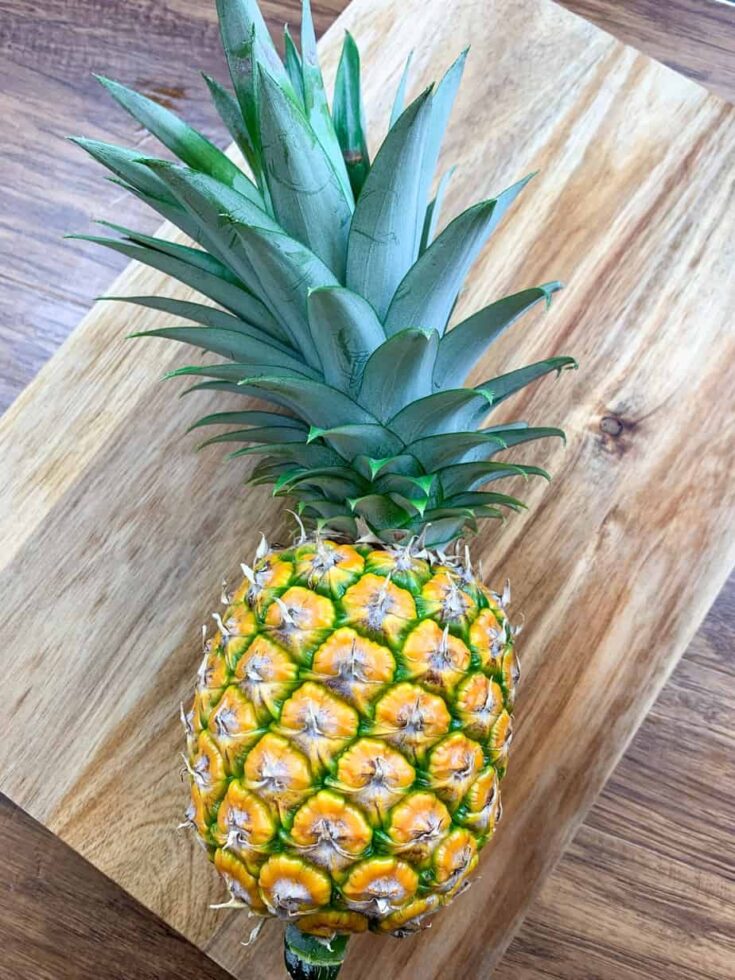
x,y
60,919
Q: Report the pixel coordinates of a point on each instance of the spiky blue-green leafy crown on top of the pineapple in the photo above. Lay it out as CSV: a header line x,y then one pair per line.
x,y
333,290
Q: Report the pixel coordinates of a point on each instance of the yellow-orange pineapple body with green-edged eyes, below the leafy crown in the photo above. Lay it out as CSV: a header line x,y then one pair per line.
x,y
349,729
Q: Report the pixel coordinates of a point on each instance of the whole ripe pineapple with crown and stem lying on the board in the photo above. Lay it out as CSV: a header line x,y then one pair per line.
x,y
353,710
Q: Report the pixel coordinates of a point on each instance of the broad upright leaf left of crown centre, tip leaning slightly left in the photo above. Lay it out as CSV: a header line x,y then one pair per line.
x,y
308,200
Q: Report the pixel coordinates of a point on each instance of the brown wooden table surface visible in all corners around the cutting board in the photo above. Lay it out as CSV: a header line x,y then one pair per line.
x,y
646,888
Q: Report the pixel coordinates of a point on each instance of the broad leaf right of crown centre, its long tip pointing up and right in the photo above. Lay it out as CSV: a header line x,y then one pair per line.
x,y
430,288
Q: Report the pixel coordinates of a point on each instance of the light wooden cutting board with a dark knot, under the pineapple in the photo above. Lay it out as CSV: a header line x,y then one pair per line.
x,y
114,534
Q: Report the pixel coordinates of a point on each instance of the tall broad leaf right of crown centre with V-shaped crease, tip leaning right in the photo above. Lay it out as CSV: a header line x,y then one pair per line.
x,y
386,227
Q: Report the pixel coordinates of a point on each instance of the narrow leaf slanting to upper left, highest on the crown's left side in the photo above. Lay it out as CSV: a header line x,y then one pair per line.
x,y
195,150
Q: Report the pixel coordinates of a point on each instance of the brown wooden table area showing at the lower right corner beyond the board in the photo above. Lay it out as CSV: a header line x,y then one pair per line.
x,y
646,889
